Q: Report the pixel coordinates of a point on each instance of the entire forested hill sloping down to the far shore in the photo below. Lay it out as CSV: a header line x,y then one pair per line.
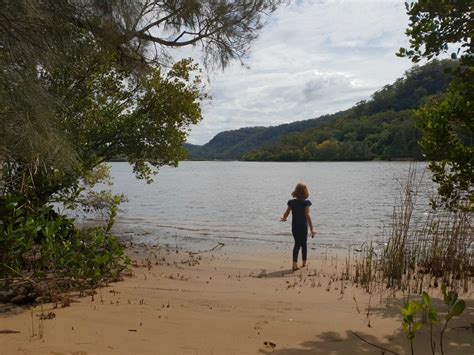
x,y
381,128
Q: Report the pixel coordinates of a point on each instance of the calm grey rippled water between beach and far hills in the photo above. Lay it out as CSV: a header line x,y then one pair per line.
x,y
240,203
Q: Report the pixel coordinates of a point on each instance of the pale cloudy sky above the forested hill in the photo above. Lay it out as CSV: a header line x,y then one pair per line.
x,y
312,58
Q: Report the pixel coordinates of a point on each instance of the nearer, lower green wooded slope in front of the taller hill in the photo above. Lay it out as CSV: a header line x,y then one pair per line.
x,y
390,135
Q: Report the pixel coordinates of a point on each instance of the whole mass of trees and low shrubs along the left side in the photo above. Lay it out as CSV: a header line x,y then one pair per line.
x,y
87,81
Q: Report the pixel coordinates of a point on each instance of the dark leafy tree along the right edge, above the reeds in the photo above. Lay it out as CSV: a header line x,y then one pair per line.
x,y
447,123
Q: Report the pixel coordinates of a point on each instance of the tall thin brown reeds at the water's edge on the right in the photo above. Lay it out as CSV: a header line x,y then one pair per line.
x,y
422,249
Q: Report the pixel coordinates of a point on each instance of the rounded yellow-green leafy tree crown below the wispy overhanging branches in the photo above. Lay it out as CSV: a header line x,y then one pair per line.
x,y
114,112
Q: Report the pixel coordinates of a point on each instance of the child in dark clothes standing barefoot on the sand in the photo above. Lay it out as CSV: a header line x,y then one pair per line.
x,y
299,207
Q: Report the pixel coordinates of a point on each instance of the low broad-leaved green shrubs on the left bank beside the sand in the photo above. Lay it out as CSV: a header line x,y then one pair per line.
x,y
37,242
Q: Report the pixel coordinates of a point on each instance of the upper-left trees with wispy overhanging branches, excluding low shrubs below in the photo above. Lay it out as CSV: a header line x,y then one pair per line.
x,y
84,81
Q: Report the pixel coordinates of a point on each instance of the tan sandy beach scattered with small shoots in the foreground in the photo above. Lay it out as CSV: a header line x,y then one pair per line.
x,y
224,302
